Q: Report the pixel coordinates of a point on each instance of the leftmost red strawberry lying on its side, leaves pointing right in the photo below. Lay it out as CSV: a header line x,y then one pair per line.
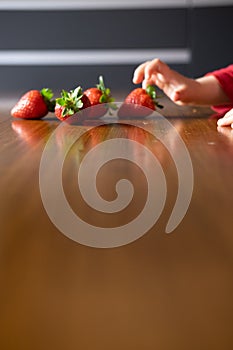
x,y
34,104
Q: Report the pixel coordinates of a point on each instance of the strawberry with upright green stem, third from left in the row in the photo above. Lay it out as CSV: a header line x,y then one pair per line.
x,y
99,96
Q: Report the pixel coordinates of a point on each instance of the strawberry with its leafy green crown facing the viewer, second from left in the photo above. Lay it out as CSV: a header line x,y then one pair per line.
x,y
70,103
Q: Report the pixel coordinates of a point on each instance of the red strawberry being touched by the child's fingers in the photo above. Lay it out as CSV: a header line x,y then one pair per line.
x,y
135,103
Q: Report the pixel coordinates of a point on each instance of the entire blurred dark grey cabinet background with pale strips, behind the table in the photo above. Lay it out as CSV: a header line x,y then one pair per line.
x,y
62,44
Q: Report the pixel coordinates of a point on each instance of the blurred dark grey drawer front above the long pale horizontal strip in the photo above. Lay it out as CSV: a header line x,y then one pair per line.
x,y
83,30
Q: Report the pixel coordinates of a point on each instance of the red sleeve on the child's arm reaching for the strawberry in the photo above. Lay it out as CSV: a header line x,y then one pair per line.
x,y
225,79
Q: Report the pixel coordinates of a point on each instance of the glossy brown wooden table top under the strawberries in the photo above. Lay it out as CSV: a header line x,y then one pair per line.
x,y
162,291
